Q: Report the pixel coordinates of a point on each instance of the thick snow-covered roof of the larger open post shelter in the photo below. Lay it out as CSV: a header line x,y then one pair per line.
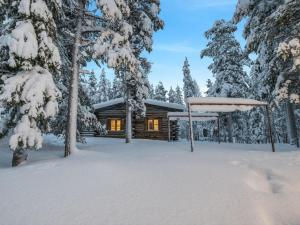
x,y
221,104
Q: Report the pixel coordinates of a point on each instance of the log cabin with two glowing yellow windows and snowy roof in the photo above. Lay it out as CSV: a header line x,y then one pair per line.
x,y
154,125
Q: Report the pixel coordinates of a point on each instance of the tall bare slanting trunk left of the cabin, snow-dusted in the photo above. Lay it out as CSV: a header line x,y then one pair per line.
x,y
70,142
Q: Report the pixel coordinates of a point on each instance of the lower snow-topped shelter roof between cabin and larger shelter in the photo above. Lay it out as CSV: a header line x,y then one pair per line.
x,y
195,116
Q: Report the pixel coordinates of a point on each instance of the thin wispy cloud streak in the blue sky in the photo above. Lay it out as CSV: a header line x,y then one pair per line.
x,y
176,48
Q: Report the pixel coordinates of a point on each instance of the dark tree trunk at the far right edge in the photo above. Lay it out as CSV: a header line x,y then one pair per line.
x,y
291,124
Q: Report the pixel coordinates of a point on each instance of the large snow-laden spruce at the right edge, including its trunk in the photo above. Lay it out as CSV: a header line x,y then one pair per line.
x,y
270,23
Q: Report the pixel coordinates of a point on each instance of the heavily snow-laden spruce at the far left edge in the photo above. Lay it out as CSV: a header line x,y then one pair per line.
x,y
29,59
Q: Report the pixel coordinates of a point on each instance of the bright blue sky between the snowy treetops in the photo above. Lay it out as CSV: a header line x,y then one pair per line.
x,y
183,36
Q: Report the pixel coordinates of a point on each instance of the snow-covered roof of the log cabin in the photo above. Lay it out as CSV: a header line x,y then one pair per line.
x,y
147,101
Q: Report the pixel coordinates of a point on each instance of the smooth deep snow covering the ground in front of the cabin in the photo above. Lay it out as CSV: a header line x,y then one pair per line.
x,y
108,182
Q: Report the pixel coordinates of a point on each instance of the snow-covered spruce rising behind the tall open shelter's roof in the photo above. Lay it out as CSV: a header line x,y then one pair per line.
x,y
227,67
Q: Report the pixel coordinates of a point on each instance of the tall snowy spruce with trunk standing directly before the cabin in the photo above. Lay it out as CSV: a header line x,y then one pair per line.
x,y
129,32
